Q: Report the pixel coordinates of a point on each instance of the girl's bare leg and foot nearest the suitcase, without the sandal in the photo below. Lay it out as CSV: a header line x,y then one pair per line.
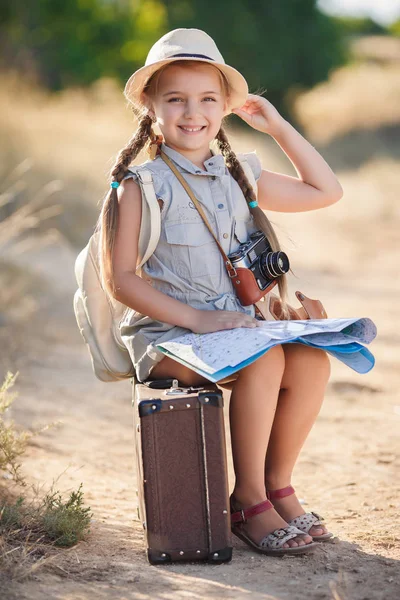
x,y
252,410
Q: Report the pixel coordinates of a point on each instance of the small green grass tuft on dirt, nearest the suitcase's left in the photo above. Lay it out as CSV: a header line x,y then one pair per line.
x,y
66,523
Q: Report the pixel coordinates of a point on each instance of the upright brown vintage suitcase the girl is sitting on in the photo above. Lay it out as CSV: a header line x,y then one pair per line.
x,y
182,472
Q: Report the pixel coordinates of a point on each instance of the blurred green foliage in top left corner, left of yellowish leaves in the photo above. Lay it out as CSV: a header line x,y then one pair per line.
x,y
63,43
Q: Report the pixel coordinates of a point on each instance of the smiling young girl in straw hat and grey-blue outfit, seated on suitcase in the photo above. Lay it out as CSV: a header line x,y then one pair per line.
x,y
187,89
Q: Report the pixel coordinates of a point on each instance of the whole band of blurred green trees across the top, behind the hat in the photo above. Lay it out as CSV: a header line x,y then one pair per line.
x,y
280,45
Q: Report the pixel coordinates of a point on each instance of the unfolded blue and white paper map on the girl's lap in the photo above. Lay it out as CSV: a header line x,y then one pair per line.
x,y
219,354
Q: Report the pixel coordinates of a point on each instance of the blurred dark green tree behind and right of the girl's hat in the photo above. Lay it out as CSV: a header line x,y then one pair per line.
x,y
279,45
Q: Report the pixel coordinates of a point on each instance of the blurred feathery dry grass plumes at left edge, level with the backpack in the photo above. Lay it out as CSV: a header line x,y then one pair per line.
x,y
27,222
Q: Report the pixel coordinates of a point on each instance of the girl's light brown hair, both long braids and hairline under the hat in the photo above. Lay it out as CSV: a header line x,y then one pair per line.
x,y
108,220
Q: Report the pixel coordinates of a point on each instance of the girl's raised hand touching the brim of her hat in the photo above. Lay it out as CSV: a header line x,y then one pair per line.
x,y
261,115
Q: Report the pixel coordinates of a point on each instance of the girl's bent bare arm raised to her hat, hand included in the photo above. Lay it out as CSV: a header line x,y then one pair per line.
x,y
316,185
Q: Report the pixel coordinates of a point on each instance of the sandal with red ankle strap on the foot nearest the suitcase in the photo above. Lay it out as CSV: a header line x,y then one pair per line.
x,y
272,543
